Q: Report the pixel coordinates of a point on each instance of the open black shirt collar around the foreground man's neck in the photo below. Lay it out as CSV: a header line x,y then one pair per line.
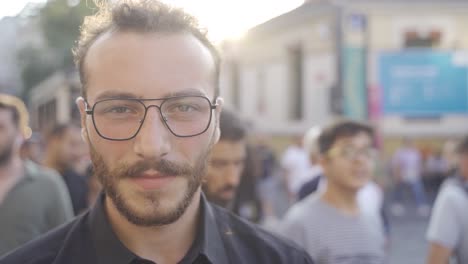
x,y
110,249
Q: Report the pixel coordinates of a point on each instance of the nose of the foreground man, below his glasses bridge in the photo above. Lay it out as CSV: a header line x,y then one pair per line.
x,y
153,139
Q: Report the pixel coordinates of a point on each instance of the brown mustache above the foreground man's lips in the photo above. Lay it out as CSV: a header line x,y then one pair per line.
x,y
162,166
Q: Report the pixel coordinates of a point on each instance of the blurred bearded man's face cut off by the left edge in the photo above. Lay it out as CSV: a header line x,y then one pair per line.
x,y
8,133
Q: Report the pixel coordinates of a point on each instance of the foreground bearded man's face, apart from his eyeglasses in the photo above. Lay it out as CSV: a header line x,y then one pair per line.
x,y
152,178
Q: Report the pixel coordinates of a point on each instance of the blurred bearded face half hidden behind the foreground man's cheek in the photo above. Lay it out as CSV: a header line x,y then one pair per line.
x,y
226,164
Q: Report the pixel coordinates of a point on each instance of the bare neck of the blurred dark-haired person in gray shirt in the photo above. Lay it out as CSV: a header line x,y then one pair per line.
x,y
341,198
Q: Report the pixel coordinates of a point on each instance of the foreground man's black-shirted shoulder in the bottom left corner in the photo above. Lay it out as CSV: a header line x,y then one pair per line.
x,y
46,248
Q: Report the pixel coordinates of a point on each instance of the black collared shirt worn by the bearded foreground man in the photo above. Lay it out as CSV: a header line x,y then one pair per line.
x,y
221,238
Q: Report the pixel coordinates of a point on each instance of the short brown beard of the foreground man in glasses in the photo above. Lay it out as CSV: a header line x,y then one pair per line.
x,y
152,215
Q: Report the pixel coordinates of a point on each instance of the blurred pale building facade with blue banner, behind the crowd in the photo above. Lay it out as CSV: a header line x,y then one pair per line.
x,y
400,64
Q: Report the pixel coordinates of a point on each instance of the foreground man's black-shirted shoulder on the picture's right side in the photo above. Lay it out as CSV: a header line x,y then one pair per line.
x,y
253,237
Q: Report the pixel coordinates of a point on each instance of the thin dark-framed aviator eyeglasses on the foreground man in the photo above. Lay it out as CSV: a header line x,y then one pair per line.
x,y
122,119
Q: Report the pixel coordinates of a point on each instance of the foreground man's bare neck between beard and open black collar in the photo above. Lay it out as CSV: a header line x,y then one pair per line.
x,y
161,244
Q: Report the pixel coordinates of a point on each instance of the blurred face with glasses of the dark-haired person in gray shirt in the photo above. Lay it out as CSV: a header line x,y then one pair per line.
x,y
349,163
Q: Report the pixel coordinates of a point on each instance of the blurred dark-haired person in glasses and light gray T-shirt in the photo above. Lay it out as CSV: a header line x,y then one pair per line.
x,y
330,225
